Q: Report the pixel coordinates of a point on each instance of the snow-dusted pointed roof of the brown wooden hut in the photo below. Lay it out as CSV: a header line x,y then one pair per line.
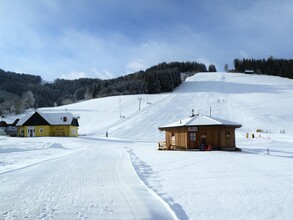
x,y
201,120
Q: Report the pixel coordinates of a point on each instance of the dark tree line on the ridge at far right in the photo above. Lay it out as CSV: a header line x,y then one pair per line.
x,y
270,66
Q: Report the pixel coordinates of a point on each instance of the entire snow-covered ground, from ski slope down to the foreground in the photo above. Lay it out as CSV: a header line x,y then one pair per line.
x,y
92,177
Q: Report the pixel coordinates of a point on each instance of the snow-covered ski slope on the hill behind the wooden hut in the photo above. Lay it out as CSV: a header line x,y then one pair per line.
x,y
255,101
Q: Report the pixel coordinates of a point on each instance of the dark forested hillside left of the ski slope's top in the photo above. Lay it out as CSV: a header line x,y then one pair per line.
x,y
21,91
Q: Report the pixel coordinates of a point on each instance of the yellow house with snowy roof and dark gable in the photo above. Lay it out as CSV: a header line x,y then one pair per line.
x,y
40,124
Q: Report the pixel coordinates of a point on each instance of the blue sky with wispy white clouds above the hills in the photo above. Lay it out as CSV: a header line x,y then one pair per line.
x,y
109,38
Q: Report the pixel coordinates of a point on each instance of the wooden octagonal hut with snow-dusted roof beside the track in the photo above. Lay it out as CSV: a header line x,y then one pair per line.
x,y
200,131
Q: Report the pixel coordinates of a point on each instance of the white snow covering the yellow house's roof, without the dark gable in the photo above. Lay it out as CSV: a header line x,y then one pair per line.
x,y
53,118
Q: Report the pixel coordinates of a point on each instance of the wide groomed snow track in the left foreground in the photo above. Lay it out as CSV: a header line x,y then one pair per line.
x,y
94,183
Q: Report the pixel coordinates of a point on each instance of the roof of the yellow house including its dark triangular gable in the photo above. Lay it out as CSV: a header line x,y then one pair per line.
x,y
51,118
